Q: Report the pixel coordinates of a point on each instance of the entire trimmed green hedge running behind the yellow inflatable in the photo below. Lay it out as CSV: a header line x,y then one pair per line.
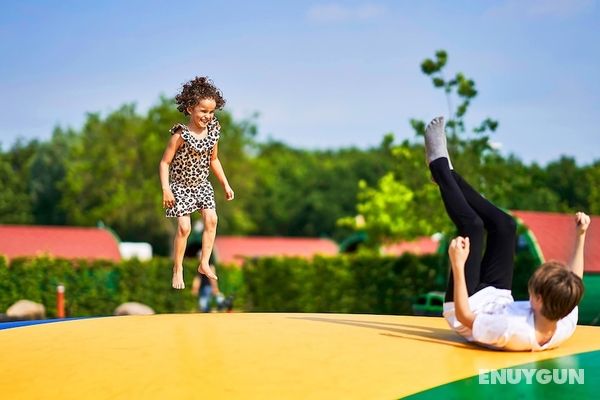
x,y
359,283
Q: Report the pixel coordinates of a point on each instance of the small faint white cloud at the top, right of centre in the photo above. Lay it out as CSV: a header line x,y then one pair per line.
x,y
334,12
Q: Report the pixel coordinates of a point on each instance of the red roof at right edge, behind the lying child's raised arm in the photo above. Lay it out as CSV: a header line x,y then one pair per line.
x,y
555,234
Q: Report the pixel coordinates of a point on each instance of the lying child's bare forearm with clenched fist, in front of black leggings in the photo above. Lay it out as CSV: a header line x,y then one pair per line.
x,y
459,251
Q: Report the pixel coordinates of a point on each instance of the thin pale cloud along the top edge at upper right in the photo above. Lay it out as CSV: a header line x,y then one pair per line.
x,y
541,8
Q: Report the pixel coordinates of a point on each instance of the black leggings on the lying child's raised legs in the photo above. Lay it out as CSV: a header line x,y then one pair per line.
x,y
472,214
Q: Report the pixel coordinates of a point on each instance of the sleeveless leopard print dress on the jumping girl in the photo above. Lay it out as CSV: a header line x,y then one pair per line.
x,y
189,170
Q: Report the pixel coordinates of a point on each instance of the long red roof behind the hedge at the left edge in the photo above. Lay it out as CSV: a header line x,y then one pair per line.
x,y
58,241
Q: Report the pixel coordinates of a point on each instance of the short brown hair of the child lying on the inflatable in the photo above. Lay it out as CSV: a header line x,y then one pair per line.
x,y
560,289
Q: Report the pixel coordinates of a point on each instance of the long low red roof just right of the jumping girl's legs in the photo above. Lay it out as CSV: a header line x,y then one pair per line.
x,y
233,249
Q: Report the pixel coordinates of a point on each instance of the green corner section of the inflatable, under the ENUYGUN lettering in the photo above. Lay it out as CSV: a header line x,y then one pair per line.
x,y
490,387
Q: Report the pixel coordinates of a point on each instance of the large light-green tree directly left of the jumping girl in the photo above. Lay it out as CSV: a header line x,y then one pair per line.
x,y
111,177
